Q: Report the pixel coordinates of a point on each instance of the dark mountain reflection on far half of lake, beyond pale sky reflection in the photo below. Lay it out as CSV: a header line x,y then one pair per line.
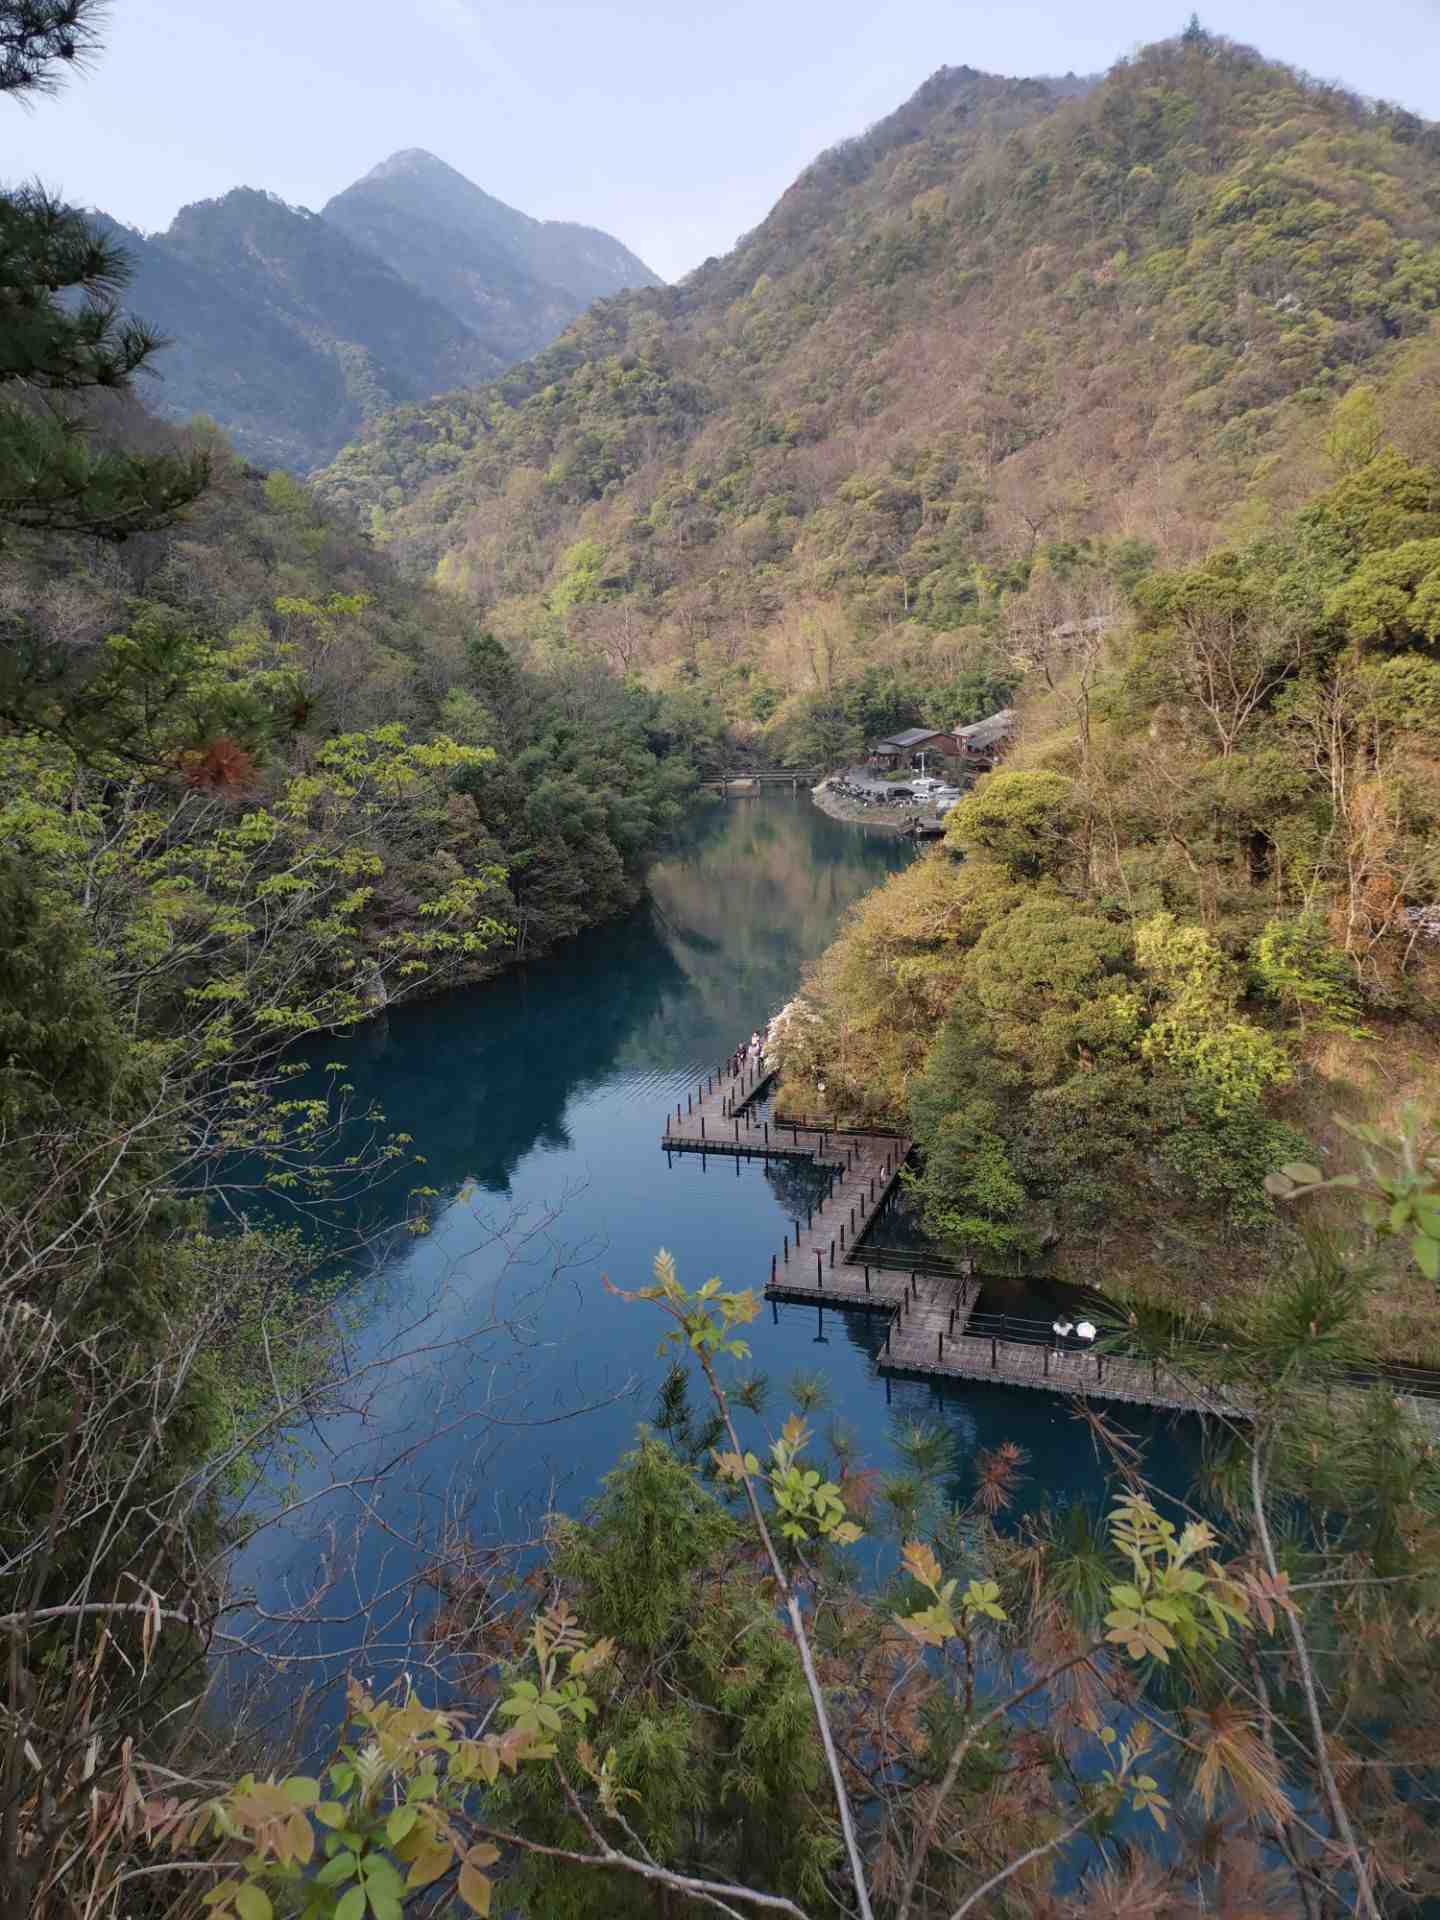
x,y
734,917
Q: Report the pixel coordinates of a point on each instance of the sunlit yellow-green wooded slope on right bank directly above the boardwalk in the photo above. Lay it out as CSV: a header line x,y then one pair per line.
x,y
1191,932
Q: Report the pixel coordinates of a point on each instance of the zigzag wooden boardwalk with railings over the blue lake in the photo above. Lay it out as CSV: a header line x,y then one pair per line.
x,y
936,1328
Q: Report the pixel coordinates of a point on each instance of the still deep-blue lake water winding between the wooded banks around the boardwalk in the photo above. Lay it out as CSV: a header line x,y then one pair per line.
x,y
539,1103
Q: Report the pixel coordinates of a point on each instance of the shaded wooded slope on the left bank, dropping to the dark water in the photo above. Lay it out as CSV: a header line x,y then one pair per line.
x,y
260,665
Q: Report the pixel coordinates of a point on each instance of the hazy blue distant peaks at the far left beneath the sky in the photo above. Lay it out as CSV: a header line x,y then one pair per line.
x,y
295,329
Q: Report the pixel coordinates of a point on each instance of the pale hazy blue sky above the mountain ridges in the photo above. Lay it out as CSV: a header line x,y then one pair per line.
x,y
671,124
